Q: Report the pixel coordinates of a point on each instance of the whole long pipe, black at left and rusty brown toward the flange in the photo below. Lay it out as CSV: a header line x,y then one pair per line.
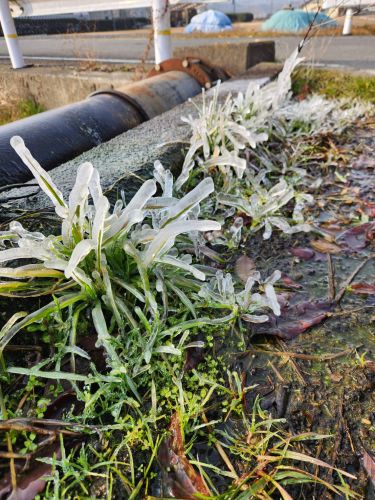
x,y
59,135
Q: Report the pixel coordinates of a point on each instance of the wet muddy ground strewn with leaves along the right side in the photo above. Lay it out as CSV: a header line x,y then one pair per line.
x,y
323,379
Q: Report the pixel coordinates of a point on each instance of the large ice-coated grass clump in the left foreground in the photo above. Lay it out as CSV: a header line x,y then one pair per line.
x,y
125,266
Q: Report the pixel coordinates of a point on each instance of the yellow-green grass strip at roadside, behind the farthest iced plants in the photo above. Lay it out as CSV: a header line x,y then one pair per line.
x,y
333,84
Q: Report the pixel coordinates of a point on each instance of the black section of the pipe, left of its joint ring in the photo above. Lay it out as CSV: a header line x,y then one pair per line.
x,y
59,135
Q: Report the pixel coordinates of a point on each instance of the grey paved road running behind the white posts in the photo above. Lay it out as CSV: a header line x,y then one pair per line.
x,y
357,52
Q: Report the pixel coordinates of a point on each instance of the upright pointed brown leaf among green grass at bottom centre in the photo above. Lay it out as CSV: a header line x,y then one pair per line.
x,y
180,478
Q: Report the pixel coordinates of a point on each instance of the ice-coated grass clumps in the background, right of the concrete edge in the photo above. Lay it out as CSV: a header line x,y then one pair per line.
x,y
229,142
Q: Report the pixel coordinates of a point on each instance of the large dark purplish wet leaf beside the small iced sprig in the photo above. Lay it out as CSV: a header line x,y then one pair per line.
x,y
295,319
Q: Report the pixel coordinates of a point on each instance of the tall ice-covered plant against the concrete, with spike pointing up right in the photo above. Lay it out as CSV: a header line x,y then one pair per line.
x,y
222,131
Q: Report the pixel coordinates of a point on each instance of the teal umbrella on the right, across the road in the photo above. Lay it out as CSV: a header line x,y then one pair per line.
x,y
296,20
